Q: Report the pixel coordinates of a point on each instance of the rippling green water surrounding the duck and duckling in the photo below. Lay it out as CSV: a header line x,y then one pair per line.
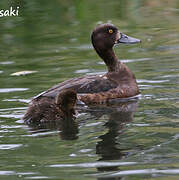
x,y
136,140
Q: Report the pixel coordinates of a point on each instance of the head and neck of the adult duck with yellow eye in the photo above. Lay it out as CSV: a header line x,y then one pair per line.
x,y
104,37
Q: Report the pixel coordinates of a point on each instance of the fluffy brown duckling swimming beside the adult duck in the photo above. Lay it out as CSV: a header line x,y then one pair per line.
x,y
60,110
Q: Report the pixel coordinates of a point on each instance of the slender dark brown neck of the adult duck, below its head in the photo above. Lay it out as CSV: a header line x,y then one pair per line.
x,y
109,58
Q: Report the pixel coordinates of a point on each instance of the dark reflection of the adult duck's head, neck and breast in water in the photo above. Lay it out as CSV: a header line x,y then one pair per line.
x,y
109,147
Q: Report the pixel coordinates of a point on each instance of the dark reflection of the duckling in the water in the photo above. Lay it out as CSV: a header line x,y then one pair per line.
x,y
68,128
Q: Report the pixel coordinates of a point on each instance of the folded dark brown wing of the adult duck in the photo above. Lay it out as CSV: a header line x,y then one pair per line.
x,y
85,84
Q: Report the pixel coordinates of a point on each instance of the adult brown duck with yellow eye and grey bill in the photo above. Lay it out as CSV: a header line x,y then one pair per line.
x,y
118,82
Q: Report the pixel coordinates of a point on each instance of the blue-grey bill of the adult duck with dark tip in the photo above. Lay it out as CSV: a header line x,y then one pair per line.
x,y
122,38
